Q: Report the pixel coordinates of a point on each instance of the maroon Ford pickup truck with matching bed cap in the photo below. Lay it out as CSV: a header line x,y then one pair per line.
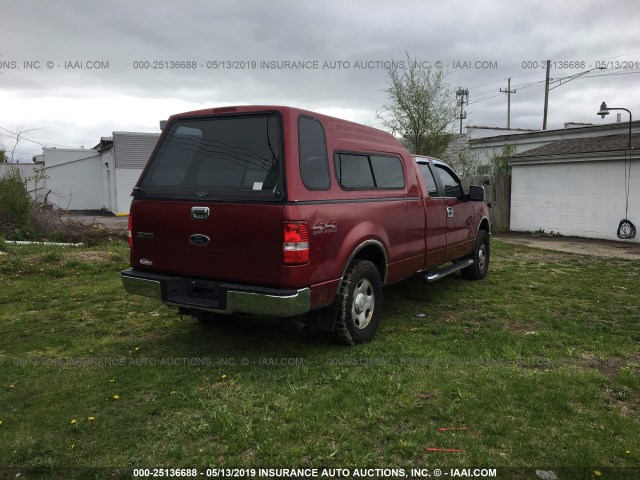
x,y
284,212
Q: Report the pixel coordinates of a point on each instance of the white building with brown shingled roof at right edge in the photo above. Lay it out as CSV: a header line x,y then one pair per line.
x,y
576,187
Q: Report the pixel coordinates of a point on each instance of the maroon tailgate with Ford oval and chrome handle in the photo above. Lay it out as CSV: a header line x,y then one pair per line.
x,y
236,243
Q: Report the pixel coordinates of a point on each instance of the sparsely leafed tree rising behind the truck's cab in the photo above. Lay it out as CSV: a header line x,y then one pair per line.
x,y
421,108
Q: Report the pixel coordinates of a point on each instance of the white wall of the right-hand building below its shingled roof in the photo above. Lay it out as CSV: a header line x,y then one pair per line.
x,y
583,199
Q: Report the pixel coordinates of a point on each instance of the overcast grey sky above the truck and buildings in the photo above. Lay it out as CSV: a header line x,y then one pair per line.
x,y
479,43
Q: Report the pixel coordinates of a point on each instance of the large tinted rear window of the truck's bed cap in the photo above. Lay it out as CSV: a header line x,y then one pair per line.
x,y
235,157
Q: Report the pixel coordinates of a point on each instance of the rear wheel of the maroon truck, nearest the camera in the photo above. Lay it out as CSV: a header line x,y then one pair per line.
x,y
360,304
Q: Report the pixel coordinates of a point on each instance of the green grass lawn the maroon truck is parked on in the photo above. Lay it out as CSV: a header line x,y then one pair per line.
x,y
539,361
